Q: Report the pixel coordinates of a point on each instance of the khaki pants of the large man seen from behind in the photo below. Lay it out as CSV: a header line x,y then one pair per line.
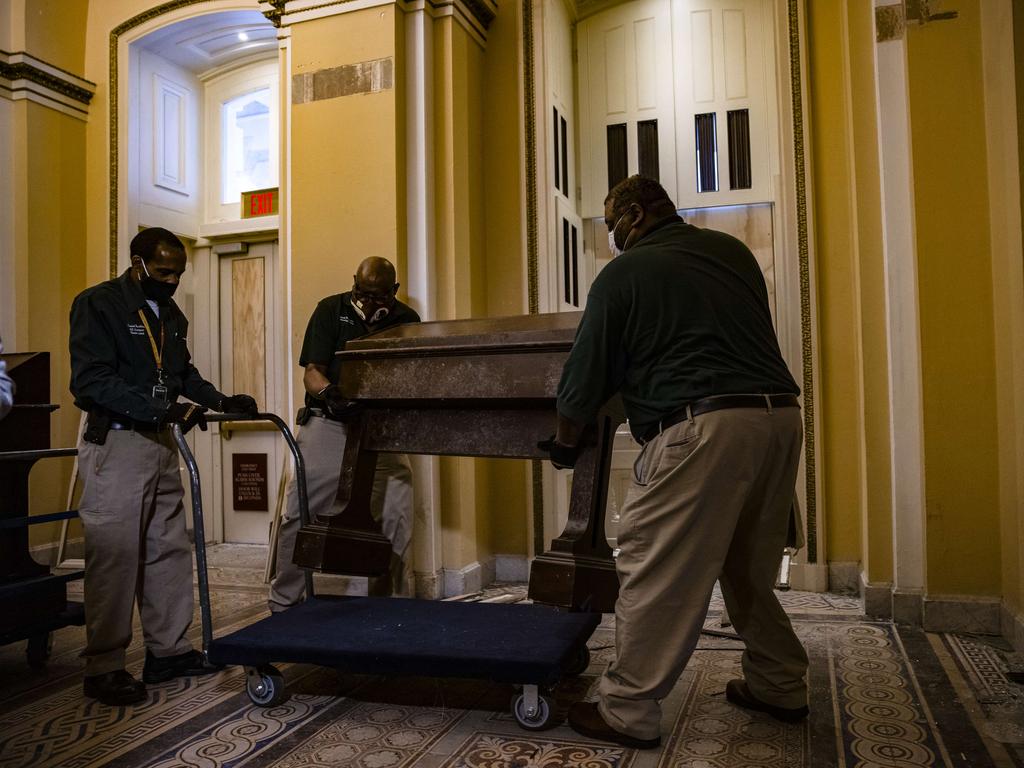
x,y
711,501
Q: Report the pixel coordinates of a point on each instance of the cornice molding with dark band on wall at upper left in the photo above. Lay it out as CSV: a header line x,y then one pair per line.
x,y
25,77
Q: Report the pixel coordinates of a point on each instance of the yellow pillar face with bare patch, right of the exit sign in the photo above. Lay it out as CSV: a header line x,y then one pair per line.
x,y
348,200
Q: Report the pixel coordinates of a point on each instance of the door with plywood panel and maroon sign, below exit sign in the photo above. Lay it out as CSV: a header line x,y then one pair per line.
x,y
251,453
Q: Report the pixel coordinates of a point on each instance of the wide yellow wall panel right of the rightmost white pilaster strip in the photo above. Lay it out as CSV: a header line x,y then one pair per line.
x,y
956,296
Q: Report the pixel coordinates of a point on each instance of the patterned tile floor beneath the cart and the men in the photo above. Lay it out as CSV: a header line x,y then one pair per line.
x,y
881,696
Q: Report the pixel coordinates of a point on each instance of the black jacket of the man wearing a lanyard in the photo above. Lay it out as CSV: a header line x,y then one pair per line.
x,y
112,362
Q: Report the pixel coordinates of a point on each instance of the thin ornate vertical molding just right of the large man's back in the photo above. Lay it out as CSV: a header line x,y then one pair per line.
x,y
803,251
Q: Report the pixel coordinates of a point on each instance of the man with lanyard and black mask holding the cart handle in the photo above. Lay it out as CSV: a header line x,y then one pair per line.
x,y
130,365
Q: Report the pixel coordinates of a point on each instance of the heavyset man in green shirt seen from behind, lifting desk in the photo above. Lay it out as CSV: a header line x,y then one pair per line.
x,y
679,325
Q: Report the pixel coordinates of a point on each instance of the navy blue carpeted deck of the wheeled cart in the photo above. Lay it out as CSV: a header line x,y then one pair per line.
x,y
517,644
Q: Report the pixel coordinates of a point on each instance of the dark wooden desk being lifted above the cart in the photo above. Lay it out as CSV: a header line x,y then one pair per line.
x,y
473,388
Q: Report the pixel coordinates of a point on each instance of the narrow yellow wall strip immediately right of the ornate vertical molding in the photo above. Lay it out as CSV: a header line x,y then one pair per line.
x,y
836,242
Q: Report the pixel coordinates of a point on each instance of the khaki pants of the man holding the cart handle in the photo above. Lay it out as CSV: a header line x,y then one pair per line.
x,y
137,548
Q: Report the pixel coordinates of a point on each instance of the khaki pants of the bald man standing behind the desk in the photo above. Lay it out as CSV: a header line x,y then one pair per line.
x,y
323,445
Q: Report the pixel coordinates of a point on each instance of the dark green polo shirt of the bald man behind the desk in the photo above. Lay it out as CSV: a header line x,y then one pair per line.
x,y
334,323
